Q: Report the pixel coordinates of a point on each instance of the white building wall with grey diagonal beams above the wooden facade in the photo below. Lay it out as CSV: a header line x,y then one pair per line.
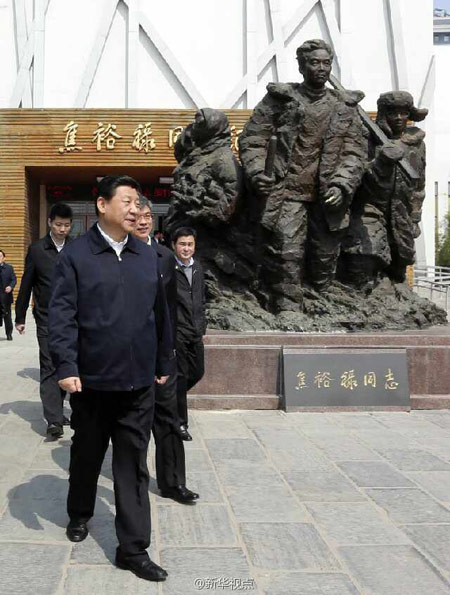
x,y
217,53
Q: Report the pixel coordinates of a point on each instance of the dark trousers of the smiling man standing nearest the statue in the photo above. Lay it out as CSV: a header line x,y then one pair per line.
x,y
191,368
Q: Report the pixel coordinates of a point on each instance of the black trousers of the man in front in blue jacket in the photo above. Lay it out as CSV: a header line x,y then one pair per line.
x,y
126,418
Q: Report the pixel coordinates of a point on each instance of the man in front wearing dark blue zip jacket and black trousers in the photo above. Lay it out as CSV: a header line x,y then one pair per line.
x,y
110,335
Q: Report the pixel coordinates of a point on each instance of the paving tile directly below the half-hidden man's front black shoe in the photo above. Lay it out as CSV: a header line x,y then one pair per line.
x,y
199,524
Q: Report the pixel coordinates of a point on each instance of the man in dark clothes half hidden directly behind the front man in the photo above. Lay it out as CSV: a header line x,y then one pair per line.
x,y
170,458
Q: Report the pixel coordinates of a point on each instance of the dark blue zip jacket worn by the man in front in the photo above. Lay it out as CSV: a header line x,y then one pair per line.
x,y
108,319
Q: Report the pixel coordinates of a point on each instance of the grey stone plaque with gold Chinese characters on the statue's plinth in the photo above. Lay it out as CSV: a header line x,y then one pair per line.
x,y
345,379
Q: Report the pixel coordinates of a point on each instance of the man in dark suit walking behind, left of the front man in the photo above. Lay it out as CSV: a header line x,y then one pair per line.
x,y
37,279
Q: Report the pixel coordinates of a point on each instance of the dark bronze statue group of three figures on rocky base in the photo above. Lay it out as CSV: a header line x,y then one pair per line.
x,y
317,201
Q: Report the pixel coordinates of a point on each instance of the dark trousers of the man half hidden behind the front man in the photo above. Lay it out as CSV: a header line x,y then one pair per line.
x,y
170,457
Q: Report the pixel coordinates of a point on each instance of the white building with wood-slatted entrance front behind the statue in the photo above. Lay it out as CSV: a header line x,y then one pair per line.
x,y
175,56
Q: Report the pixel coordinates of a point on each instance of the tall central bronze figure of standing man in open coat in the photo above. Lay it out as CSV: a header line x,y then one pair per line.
x,y
319,161
